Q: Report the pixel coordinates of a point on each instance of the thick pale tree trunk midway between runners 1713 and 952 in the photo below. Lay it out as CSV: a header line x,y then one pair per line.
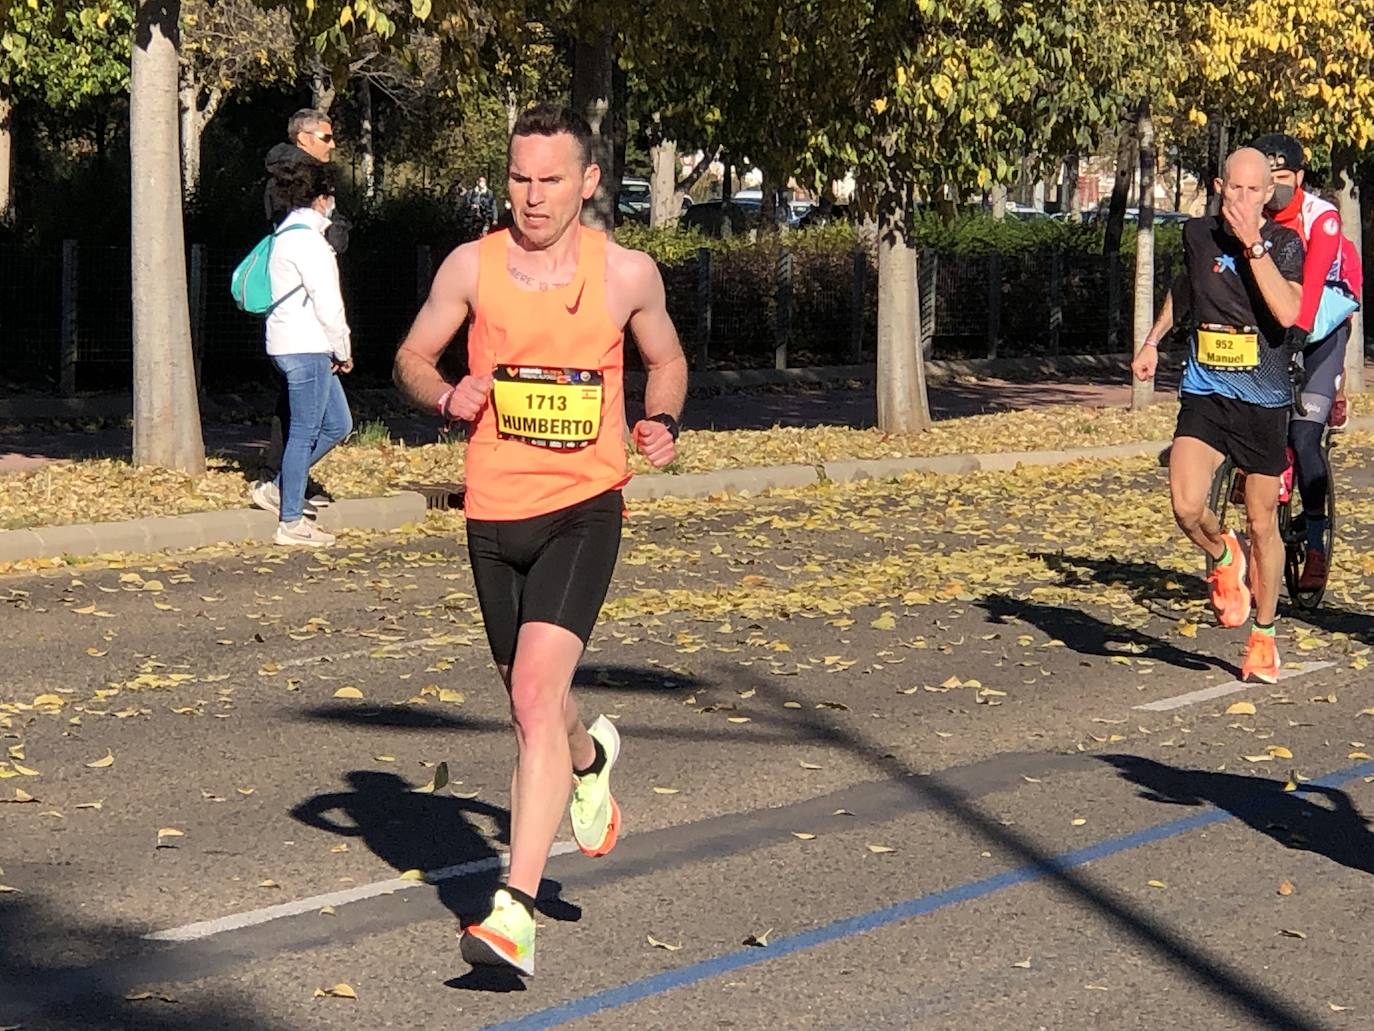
x,y
902,376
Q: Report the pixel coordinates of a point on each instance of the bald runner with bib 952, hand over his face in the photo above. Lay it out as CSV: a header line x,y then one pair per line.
x,y
1243,288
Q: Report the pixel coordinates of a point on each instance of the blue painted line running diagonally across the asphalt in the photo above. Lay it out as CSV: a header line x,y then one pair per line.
x,y
693,974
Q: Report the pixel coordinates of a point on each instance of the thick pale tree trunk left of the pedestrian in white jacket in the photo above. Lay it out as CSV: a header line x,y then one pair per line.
x,y
167,417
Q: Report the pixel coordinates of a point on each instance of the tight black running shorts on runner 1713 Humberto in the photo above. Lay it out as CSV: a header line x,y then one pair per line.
x,y
552,568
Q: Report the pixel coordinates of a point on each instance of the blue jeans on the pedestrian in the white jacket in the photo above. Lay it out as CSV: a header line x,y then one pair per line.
x,y
319,421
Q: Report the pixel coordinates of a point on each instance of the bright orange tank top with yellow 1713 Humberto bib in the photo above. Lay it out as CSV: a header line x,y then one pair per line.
x,y
553,432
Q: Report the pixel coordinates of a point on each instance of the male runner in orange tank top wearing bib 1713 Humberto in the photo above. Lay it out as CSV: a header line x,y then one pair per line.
x,y
549,303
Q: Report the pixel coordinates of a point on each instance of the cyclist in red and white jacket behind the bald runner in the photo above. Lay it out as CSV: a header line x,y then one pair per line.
x,y
1331,259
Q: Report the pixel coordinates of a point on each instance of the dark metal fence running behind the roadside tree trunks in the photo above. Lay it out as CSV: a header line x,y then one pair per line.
x,y
67,320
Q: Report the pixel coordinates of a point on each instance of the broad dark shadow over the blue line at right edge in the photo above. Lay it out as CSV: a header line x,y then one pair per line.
x,y
1313,819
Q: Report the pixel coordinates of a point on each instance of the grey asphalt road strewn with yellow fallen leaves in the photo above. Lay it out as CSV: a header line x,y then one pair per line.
x,y
886,765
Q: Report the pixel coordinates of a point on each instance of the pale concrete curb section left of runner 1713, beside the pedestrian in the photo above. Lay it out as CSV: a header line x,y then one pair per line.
x,y
197,530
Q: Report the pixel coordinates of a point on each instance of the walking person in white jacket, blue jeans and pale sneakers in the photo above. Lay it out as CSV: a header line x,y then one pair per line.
x,y
308,342
